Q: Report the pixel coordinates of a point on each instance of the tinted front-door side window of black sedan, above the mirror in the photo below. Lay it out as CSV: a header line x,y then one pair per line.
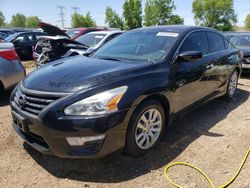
x,y
195,42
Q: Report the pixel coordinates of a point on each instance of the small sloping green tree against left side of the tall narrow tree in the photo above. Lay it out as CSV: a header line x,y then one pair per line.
x,y
113,19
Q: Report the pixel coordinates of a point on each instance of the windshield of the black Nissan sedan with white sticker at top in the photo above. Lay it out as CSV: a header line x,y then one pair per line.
x,y
149,46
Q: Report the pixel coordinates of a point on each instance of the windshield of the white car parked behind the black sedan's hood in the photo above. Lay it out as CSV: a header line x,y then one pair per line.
x,y
91,39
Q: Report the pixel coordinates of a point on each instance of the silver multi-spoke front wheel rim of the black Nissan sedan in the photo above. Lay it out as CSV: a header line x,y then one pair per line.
x,y
148,129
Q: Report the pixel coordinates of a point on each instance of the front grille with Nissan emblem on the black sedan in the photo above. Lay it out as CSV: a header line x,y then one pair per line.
x,y
32,103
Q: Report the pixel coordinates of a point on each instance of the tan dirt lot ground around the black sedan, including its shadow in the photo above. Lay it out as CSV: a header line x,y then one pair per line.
x,y
214,137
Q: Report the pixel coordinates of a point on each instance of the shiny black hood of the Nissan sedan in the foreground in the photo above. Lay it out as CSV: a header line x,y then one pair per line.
x,y
79,73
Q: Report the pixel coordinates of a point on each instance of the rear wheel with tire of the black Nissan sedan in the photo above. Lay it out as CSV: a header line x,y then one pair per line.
x,y
232,85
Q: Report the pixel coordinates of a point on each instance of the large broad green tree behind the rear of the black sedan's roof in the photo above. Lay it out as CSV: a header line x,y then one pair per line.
x,y
218,14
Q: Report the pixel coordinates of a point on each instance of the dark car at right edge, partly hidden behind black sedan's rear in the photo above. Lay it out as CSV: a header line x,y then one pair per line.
x,y
242,42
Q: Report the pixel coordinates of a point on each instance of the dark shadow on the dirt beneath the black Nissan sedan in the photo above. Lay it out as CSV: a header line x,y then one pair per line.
x,y
118,167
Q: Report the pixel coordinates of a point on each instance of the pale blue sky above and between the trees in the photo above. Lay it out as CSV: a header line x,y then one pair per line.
x,y
47,10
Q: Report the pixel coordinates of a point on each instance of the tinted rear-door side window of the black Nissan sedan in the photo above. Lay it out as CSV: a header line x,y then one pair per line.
x,y
215,42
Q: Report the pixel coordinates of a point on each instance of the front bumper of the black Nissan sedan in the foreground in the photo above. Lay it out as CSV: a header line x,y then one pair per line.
x,y
48,134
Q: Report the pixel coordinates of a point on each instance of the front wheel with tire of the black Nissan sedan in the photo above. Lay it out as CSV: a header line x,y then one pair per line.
x,y
152,131
